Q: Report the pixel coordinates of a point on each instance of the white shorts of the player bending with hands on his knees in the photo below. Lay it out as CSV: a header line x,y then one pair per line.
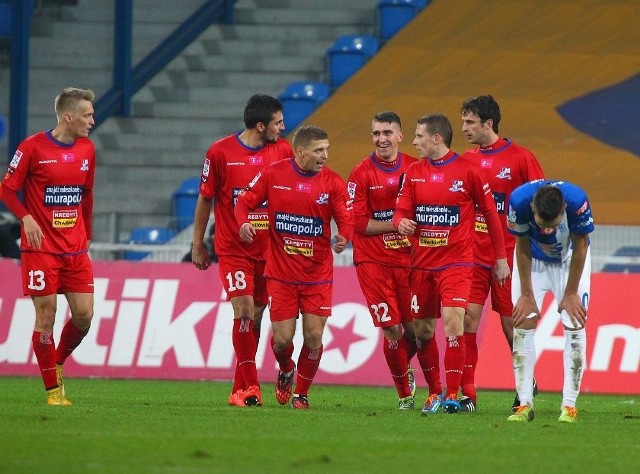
x,y
552,277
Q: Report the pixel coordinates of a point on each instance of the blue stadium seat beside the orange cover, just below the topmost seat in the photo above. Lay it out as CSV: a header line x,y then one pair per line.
x,y
348,54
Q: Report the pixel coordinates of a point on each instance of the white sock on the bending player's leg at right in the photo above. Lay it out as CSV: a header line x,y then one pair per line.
x,y
575,359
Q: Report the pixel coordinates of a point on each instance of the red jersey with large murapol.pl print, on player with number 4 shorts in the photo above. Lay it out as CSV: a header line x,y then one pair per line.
x,y
441,196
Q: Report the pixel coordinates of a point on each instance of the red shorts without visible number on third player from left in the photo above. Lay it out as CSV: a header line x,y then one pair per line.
x,y
288,300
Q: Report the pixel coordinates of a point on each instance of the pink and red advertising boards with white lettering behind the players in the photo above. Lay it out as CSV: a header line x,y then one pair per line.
x,y
170,321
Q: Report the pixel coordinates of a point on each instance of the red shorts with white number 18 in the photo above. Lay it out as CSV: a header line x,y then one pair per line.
x,y
242,276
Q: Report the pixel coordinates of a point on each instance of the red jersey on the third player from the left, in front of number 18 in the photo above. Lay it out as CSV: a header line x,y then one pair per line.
x,y
301,205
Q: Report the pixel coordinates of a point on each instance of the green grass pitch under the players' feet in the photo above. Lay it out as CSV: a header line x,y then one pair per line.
x,y
175,427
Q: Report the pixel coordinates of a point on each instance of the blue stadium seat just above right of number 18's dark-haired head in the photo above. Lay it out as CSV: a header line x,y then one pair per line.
x,y
300,99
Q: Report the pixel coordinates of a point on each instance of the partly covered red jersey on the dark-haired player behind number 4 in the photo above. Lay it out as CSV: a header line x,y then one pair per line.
x,y
506,166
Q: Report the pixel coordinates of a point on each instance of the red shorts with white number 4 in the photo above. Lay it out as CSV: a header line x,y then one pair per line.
x,y
431,289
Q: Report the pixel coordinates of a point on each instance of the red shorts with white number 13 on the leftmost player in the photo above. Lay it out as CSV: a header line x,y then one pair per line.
x,y
47,274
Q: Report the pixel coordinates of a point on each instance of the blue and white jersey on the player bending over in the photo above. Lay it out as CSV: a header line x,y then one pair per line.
x,y
556,246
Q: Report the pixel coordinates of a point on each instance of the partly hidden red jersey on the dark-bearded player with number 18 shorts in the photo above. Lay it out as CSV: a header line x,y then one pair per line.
x,y
228,167
